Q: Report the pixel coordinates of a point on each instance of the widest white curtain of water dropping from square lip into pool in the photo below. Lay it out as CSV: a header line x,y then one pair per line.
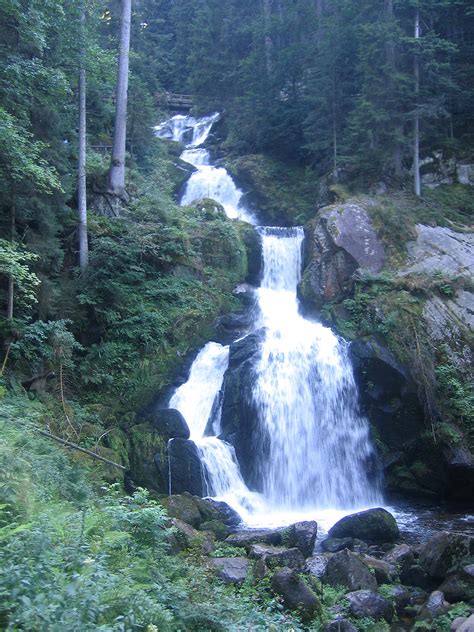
x,y
319,447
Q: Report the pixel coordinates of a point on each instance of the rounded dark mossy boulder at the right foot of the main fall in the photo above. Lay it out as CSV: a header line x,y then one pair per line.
x,y
373,525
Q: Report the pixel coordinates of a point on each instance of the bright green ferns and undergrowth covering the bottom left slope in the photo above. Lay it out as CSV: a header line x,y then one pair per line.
x,y
82,557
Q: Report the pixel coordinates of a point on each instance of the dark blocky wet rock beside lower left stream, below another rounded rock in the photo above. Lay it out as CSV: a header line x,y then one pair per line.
x,y
185,468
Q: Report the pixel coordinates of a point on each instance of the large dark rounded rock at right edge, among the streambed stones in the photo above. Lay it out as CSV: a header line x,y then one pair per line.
x,y
444,551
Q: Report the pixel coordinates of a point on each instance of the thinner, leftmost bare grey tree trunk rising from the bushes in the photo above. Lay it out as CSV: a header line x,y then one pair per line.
x,y
82,177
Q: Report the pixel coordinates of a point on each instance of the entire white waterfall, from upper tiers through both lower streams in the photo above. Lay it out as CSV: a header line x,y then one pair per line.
x,y
312,449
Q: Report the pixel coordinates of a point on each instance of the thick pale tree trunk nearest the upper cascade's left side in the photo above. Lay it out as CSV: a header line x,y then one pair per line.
x,y
117,168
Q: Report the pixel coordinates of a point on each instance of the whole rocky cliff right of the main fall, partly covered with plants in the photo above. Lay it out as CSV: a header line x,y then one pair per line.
x,y
411,318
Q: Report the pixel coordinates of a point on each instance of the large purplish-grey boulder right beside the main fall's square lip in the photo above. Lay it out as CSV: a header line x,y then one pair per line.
x,y
339,241
